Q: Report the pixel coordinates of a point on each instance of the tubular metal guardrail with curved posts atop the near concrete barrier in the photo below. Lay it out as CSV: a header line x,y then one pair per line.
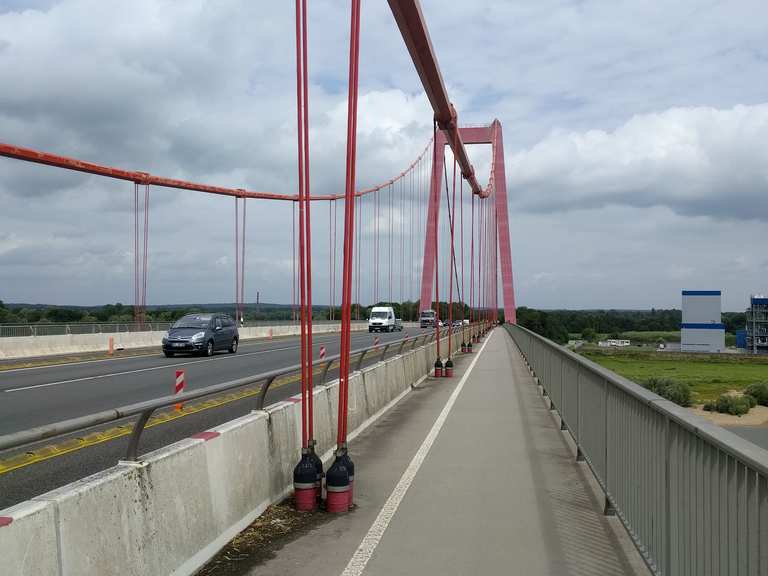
x,y
144,410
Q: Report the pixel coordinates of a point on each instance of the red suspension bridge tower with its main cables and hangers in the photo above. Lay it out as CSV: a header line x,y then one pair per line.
x,y
387,231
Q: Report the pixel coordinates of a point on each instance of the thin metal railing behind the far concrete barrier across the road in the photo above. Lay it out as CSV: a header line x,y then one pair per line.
x,y
41,329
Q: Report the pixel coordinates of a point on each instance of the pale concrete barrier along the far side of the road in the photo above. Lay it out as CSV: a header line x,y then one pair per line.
x,y
30,346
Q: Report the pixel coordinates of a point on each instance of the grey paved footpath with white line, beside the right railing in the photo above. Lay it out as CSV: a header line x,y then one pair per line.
x,y
468,476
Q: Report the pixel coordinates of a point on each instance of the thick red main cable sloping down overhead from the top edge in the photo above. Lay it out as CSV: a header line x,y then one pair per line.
x,y
413,28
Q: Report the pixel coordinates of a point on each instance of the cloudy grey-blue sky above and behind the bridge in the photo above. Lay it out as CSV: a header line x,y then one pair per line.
x,y
636,140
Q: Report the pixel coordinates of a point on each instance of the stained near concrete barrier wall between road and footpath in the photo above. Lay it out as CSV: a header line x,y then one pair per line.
x,y
173,511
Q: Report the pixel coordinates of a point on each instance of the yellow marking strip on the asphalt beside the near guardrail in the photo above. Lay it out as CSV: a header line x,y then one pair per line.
x,y
74,444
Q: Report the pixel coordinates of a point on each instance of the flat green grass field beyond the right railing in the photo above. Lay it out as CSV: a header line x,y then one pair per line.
x,y
709,375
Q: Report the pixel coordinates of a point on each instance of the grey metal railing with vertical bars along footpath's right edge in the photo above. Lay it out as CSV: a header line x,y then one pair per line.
x,y
693,496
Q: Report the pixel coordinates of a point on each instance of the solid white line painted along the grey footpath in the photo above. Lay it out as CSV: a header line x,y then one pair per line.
x,y
367,547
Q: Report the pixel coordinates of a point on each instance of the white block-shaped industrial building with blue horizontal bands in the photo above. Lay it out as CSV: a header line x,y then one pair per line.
x,y
702,329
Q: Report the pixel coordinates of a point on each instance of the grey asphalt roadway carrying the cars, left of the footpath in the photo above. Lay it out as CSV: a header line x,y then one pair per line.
x,y
37,396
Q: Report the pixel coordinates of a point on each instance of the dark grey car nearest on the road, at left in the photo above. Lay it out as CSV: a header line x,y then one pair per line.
x,y
201,334
